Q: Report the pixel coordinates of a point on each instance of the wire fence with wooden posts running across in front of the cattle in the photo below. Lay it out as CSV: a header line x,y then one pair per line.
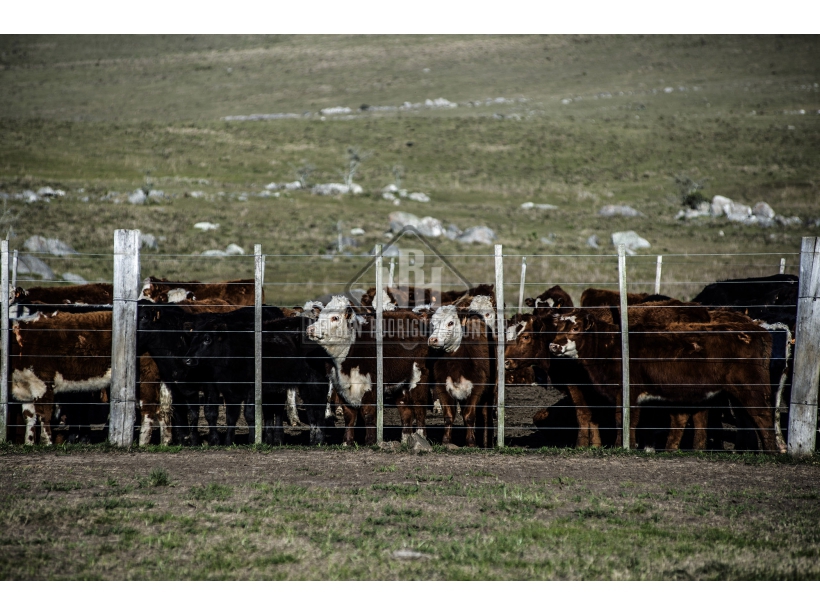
x,y
481,349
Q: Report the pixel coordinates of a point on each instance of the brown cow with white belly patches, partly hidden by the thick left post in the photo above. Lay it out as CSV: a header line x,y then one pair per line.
x,y
65,352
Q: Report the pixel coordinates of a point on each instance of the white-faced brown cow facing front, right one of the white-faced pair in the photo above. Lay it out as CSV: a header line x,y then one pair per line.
x,y
463,366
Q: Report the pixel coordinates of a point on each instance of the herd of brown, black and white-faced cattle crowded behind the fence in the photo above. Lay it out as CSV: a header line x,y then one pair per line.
x,y
195,344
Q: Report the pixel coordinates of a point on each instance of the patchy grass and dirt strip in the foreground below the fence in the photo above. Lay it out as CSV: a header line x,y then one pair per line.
x,y
89,513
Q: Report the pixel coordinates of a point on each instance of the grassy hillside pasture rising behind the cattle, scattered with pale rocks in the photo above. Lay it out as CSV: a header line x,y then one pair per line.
x,y
586,121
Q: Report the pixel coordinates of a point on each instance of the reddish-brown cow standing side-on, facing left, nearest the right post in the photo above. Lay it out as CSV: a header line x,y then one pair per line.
x,y
683,362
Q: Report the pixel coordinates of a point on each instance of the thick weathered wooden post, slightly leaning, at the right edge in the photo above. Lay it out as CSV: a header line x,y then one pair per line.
x,y
806,376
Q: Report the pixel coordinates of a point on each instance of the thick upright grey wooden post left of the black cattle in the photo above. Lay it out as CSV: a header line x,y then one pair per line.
x,y
124,337
